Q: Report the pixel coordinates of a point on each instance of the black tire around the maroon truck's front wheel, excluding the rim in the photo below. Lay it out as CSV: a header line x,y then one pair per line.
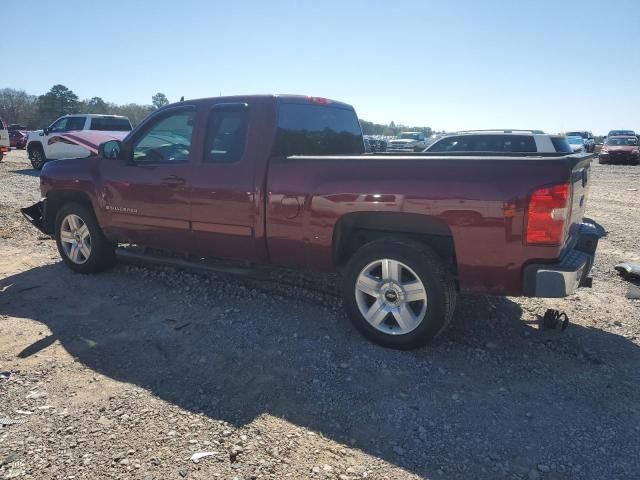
x,y
102,251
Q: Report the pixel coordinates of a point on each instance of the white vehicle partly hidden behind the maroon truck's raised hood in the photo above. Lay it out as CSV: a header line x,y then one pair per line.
x,y
52,143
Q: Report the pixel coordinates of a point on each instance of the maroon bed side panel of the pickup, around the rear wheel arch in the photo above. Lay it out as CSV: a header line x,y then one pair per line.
x,y
482,200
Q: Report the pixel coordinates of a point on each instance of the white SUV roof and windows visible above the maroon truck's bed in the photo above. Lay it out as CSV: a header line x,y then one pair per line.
x,y
508,141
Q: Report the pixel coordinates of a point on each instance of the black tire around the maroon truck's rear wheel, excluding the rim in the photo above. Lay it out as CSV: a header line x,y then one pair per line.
x,y
428,268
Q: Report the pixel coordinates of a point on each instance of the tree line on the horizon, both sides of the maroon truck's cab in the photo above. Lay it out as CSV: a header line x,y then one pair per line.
x,y
34,112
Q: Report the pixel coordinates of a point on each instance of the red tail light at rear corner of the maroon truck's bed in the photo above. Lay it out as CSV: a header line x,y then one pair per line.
x,y
547,214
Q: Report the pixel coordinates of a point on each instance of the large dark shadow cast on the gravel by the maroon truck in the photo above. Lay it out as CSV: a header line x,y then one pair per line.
x,y
493,396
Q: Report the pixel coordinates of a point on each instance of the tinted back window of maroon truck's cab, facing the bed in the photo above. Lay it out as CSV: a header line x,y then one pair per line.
x,y
318,130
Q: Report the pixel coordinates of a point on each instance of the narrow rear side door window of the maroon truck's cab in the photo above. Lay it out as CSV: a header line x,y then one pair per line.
x,y
227,133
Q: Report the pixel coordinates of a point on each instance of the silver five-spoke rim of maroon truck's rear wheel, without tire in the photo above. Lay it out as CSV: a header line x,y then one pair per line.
x,y
391,297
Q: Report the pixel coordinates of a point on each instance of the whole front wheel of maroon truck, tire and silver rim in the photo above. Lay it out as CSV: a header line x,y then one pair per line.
x,y
81,243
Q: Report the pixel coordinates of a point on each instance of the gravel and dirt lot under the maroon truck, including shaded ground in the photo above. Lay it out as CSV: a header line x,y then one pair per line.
x,y
128,373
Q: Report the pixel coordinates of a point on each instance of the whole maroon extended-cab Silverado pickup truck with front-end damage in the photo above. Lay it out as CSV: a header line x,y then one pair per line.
x,y
283,180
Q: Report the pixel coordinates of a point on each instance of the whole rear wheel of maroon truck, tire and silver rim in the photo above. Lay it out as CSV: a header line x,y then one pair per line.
x,y
398,293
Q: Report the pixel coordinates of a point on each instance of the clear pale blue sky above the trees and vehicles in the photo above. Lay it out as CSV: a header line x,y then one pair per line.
x,y
553,65
